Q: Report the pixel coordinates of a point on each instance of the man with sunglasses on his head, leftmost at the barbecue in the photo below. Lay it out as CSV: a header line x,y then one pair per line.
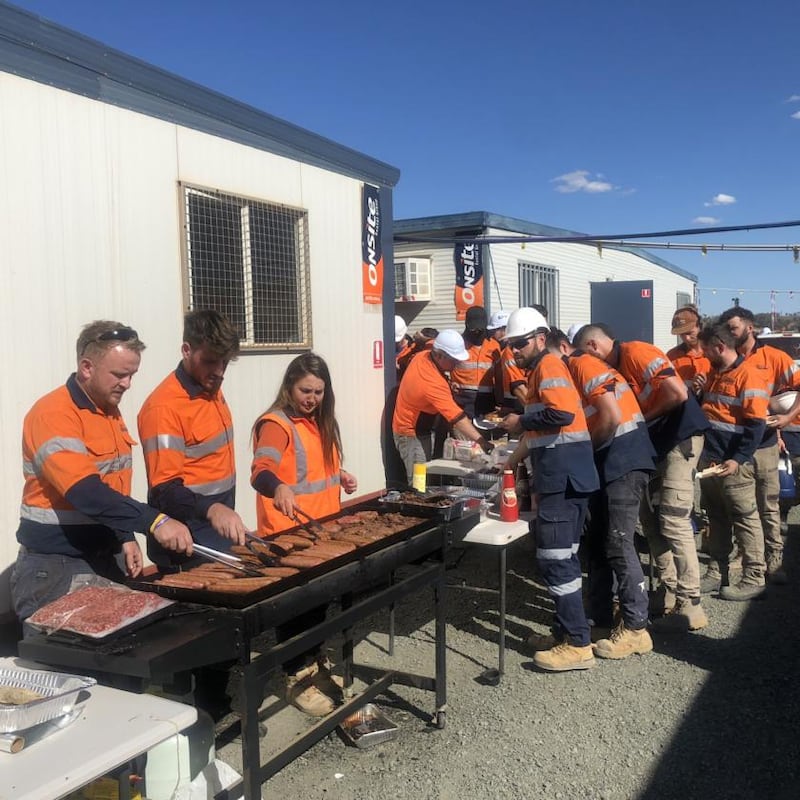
x,y
76,511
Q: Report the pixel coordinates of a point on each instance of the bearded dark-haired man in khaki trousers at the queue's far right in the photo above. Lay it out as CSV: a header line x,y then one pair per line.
x,y
778,372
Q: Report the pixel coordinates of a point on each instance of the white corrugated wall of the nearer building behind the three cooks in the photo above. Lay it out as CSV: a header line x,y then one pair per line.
x,y
90,228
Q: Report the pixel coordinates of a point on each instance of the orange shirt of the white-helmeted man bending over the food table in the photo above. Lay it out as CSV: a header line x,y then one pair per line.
x,y
423,393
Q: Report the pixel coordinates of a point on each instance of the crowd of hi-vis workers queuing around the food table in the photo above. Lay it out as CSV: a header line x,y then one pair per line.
x,y
617,432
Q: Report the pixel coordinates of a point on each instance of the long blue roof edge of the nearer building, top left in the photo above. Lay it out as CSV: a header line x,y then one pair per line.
x,y
35,48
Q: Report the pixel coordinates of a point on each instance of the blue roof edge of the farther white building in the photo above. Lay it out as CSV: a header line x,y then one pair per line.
x,y
486,219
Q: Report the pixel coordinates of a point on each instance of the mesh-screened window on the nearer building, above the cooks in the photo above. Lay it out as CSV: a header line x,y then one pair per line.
x,y
249,260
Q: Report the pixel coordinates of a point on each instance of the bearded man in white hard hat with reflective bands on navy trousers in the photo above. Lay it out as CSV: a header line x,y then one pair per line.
x,y
558,442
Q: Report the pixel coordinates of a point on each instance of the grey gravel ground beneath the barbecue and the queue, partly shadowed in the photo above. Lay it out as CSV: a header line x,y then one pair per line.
x,y
710,714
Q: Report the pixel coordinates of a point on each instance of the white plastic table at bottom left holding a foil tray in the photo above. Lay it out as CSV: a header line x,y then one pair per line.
x,y
114,727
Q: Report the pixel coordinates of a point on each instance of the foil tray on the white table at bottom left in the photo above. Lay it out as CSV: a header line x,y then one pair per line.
x,y
59,692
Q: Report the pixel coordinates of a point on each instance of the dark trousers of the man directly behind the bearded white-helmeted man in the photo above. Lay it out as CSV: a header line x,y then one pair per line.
x,y
611,550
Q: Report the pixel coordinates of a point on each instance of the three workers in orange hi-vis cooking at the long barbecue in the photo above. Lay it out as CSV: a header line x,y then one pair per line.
x,y
77,514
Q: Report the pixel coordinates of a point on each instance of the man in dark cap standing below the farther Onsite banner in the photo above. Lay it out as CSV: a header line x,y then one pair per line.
x,y
478,381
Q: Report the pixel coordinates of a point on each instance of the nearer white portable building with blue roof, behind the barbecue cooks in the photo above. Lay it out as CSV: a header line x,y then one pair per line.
x,y
128,193
